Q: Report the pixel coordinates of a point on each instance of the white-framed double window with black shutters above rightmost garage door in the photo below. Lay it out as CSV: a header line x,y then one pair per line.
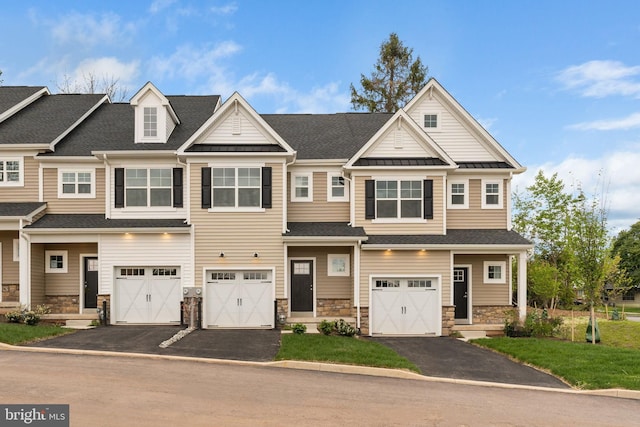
x,y
399,199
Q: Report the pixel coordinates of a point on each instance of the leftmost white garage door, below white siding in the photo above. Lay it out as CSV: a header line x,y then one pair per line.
x,y
147,295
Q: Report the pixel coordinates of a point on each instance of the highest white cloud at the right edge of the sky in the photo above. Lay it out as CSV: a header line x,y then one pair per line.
x,y
599,79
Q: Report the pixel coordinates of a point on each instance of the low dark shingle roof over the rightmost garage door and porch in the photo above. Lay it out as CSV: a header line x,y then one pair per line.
x,y
453,237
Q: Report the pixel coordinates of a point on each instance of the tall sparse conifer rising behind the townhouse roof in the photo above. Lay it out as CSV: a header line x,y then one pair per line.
x,y
395,80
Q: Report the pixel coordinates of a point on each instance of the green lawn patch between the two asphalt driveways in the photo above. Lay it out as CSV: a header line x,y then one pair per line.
x,y
336,349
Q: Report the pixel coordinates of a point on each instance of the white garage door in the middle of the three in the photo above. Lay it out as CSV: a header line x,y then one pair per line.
x,y
239,299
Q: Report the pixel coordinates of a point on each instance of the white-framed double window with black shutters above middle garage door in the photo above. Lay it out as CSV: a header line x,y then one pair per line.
x,y
236,187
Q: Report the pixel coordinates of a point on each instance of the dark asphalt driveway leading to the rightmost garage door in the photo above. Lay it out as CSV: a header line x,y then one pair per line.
x,y
452,358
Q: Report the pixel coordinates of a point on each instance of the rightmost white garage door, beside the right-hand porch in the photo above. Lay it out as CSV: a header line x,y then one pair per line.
x,y
405,306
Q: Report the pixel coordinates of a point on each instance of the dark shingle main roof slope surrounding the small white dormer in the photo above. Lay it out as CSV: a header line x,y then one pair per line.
x,y
112,128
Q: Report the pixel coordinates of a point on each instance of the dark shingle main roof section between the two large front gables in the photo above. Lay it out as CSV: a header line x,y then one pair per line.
x,y
326,136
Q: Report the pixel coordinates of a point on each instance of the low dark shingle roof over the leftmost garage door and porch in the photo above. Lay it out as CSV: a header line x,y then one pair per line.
x,y
99,221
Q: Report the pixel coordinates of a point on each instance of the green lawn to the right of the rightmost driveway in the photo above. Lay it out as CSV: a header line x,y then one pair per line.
x,y
581,364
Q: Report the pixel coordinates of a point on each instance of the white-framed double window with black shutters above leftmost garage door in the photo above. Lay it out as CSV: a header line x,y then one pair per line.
x,y
148,187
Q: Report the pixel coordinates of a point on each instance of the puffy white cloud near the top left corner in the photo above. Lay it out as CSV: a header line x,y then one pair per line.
x,y
90,30
